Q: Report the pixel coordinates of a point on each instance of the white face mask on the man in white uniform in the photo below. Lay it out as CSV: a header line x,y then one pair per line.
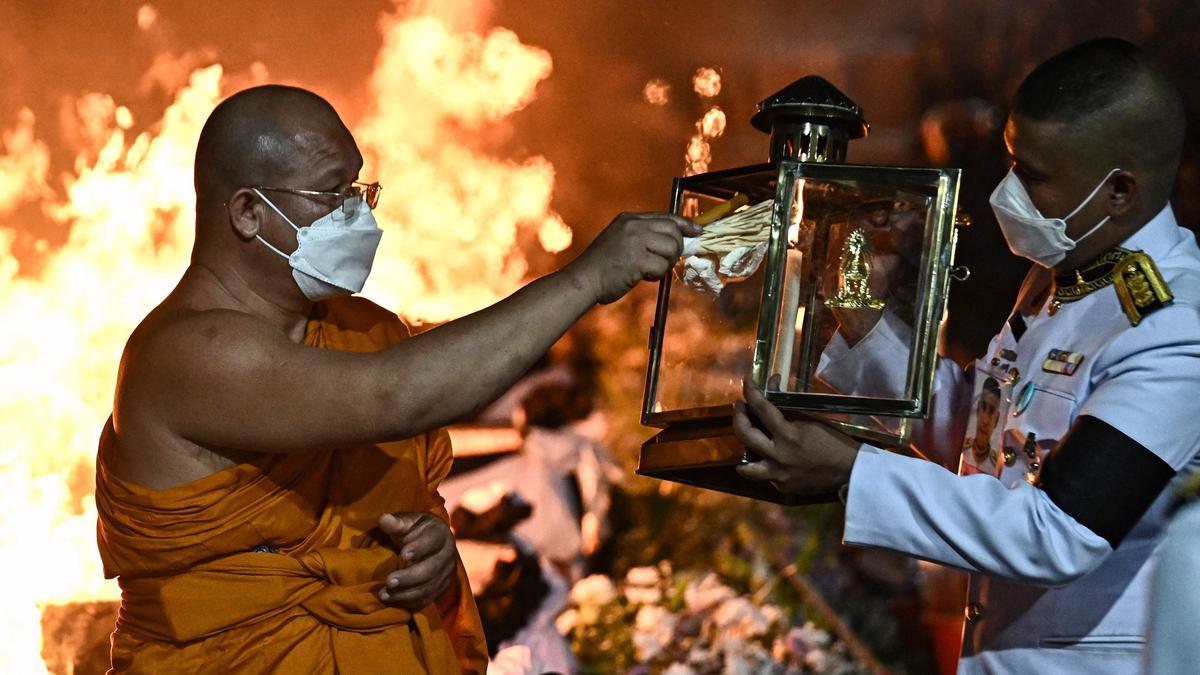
x,y
1029,234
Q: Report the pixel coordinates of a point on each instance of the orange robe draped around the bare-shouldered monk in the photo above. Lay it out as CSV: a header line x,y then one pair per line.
x,y
197,599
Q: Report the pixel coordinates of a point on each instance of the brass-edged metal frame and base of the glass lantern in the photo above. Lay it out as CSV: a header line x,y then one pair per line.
x,y
698,446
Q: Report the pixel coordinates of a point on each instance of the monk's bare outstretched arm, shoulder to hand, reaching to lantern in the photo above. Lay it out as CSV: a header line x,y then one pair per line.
x,y
224,379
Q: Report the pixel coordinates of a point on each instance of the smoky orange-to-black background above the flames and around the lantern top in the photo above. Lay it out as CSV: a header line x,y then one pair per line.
x,y
951,62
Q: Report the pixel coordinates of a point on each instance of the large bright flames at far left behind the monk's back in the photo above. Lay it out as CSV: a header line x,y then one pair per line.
x,y
131,226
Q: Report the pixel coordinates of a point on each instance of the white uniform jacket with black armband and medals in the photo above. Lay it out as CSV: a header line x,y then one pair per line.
x,y
1061,571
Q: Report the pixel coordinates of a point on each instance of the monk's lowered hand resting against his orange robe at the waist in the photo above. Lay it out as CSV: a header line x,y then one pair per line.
x,y
428,555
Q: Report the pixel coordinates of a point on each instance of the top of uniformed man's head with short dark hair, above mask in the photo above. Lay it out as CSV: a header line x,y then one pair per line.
x,y
1117,107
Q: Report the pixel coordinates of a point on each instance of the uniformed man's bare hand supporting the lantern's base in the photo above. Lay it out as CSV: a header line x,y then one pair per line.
x,y
800,458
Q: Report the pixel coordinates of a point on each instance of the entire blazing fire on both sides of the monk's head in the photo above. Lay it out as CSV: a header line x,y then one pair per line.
x,y
452,213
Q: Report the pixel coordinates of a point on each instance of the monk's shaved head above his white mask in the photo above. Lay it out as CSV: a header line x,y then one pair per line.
x,y
263,136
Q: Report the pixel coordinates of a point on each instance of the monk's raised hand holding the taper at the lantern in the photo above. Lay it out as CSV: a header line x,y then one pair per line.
x,y
634,248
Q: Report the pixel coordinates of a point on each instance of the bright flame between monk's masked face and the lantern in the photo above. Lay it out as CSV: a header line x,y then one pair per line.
x,y
453,214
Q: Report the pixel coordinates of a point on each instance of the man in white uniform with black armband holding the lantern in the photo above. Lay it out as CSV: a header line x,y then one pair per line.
x,y
1100,373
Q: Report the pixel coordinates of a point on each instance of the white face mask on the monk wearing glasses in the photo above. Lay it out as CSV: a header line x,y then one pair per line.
x,y
334,255
